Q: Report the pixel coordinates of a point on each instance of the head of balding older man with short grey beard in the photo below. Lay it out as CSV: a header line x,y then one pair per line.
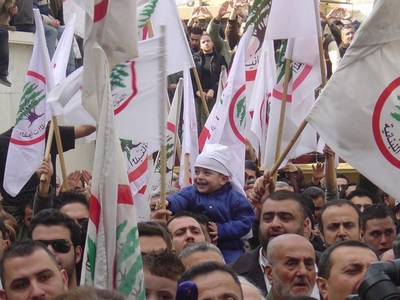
x,y
291,267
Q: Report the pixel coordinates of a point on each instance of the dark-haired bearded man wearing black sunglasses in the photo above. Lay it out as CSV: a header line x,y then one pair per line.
x,y
62,236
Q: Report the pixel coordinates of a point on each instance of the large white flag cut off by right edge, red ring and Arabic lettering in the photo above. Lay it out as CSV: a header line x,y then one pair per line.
x,y
357,114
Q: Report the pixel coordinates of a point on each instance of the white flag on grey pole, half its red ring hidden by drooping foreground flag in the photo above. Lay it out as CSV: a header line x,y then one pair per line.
x,y
139,95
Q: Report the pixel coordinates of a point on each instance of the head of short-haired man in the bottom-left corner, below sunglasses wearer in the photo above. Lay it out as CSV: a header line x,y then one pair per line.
x,y
30,271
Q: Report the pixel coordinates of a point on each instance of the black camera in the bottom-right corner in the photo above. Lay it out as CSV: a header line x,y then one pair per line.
x,y
380,282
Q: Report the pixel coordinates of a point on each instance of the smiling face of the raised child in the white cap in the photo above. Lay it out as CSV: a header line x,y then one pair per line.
x,y
207,181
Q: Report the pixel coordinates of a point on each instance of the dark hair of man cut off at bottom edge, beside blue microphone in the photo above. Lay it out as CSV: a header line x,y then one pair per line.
x,y
206,268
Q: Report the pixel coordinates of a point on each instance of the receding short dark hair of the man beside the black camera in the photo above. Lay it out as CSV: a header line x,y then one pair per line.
x,y
325,261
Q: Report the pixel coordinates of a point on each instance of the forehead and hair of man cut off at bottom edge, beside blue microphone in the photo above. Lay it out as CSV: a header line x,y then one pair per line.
x,y
214,281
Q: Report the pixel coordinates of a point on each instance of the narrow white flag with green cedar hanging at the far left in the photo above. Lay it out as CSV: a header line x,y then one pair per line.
x,y
27,143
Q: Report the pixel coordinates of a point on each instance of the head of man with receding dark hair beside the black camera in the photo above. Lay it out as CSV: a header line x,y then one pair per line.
x,y
342,267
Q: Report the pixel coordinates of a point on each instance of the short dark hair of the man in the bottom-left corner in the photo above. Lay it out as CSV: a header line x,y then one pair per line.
x,y
22,249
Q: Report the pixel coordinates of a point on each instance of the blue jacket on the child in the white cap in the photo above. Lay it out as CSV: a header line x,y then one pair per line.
x,y
226,207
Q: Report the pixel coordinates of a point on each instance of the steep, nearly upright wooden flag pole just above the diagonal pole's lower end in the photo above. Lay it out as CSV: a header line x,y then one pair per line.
x,y
288,62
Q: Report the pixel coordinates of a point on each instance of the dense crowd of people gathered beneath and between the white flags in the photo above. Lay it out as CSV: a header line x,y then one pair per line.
x,y
273,238
